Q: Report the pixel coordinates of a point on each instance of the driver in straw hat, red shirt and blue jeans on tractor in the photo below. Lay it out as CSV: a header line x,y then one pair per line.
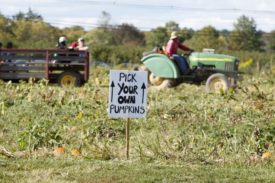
x,y
171,51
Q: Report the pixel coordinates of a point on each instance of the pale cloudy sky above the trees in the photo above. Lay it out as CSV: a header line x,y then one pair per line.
x,y
148,14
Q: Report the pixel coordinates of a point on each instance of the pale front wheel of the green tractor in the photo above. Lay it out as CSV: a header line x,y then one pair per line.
x,y
217,82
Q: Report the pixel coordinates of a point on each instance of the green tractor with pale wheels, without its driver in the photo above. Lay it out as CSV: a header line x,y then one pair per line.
x,y
219,71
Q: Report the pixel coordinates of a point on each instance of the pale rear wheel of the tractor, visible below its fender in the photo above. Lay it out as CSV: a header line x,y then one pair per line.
x,y
161,83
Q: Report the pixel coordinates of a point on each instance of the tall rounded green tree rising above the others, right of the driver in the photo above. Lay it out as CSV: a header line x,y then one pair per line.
x,y
245,35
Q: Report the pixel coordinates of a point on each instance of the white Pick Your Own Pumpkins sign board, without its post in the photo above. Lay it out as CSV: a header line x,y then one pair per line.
x,y
127,94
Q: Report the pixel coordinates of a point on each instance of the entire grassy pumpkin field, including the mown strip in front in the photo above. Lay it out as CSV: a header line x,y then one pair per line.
x,y
52,134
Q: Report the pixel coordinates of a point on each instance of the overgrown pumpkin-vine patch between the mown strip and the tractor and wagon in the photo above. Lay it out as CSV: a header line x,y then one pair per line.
x,y
182,124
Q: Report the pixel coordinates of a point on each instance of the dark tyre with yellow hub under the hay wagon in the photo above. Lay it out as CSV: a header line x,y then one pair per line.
x,y
69,78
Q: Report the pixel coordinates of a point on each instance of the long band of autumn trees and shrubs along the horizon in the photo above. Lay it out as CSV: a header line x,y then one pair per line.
x,y
125,42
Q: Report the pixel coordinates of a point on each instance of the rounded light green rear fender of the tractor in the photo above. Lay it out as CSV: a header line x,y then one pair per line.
x,y
160,65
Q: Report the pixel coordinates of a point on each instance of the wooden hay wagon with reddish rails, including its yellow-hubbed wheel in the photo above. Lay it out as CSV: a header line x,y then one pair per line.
x,y
64,67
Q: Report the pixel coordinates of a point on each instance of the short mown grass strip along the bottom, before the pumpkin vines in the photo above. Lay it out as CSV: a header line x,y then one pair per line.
x,y
81,170
